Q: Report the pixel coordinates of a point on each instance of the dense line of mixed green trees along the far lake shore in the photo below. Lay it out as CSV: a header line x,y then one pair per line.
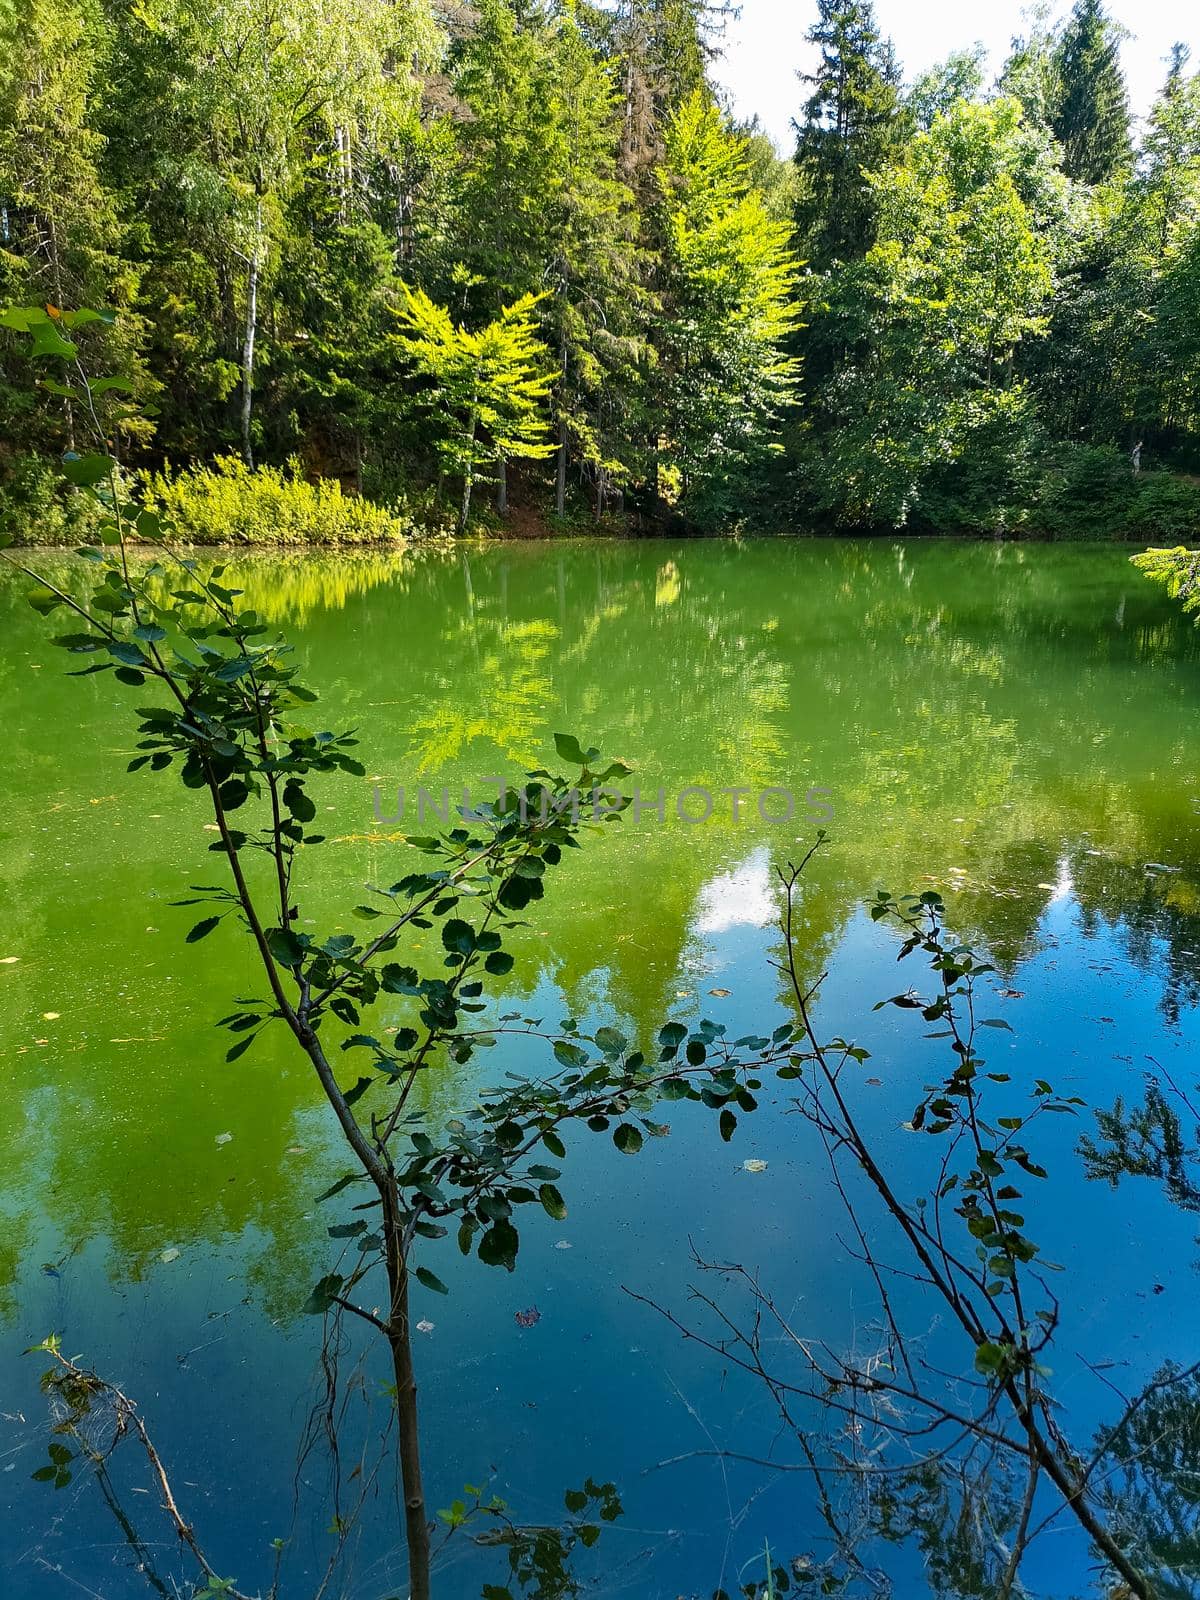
x,y
415,244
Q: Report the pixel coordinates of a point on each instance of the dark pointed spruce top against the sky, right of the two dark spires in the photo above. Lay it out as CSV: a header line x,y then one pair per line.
x,y
1092,111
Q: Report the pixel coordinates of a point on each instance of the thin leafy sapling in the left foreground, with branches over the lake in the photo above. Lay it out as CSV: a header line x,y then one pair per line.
x,y
220,705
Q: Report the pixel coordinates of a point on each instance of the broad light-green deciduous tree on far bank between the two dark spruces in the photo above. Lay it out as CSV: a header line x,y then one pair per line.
x,y
958,279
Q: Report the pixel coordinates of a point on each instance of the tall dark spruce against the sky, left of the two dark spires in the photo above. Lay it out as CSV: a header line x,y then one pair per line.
x,y
850,126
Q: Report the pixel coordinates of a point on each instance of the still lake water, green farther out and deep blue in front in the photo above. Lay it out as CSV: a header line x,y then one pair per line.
x,y
1017,726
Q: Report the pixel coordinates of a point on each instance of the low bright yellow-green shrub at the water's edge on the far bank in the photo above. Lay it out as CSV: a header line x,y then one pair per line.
x,y
231,503
